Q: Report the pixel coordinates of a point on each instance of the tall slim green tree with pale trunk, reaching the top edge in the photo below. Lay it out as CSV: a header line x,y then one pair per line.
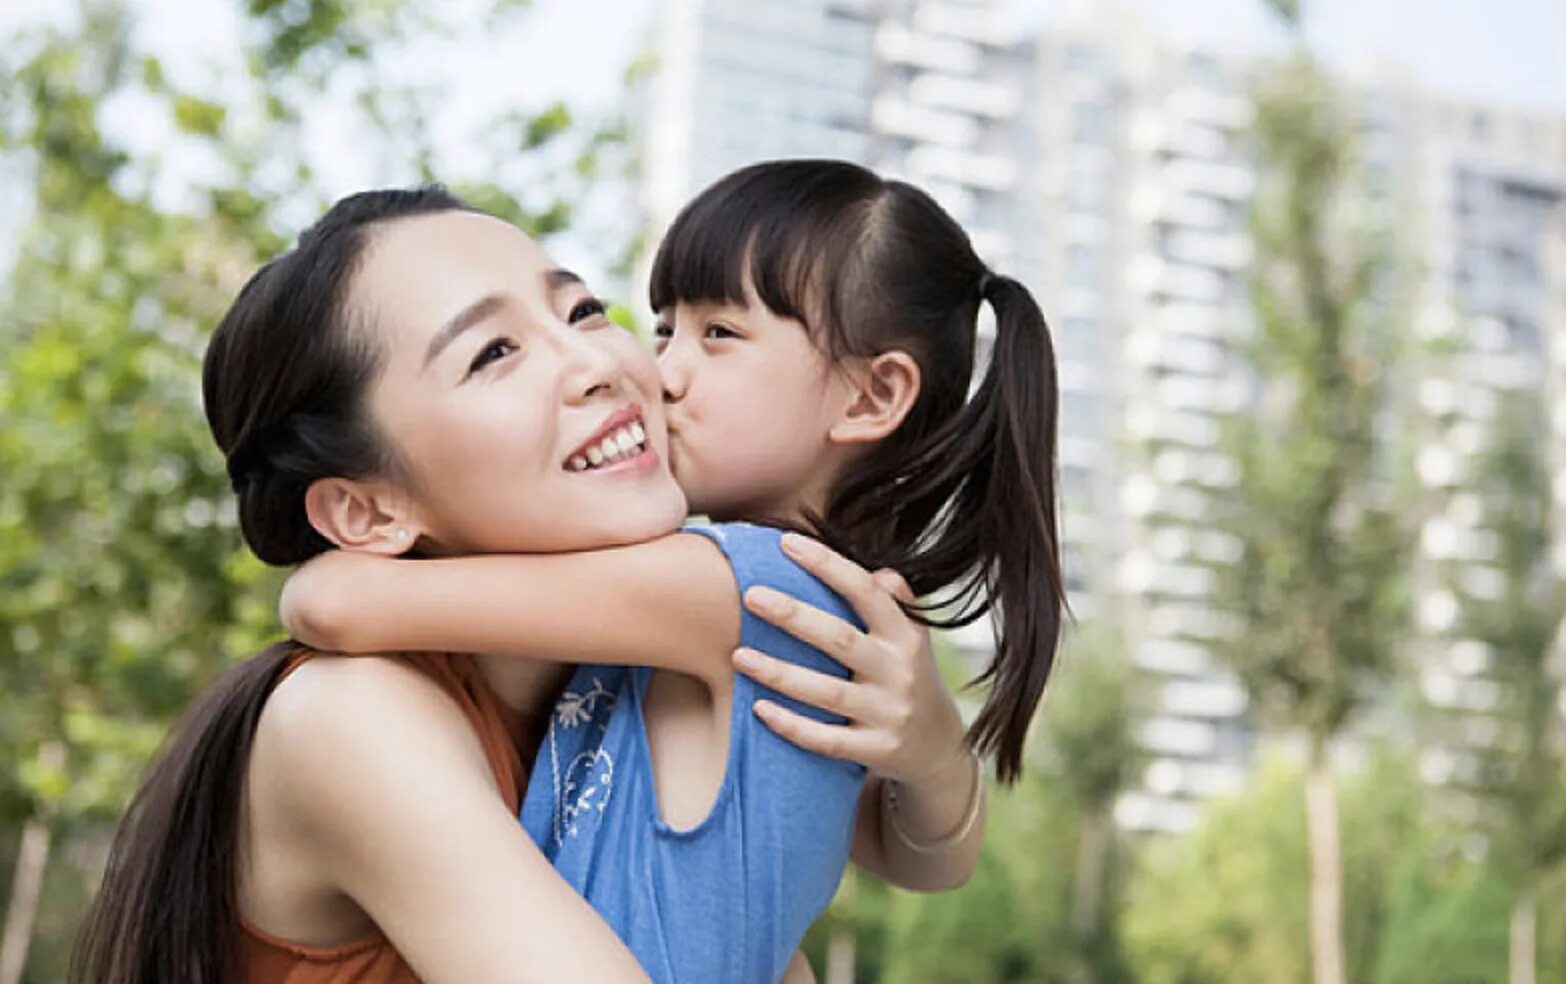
x,y
1318,588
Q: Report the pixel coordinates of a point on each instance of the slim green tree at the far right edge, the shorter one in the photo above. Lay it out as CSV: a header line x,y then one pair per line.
x,y
1521,772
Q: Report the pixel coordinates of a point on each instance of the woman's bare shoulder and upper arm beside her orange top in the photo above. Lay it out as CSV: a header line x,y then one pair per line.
x,y
408,823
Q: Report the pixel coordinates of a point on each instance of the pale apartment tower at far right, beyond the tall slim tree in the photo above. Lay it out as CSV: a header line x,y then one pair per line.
x,y
1493,214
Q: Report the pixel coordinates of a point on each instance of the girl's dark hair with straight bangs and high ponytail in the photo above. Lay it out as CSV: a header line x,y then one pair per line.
x,y
962,497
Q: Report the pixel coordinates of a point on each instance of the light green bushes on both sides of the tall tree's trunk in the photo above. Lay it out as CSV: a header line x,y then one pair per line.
x,y
1225,903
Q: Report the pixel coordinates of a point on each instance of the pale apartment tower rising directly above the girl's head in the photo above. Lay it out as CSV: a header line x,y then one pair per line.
x,y
923,90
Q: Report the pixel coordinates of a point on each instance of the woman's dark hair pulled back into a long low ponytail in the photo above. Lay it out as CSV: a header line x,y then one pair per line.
x,y
284,382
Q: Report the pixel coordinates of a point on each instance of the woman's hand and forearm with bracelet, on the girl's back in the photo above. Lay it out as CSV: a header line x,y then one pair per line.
x,y
903,725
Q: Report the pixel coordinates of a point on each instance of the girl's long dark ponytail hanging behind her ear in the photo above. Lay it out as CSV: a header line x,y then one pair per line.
x,y
962,504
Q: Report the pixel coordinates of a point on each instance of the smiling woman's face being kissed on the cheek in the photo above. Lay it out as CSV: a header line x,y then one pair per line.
x,y
522,419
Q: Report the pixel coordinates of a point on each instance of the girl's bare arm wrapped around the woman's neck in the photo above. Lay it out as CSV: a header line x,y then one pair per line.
x,y
669,604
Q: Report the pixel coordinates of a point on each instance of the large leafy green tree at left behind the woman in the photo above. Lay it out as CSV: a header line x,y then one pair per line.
x,y
123,581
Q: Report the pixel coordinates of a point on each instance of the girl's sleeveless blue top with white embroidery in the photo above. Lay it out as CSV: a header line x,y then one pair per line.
x,y
729,900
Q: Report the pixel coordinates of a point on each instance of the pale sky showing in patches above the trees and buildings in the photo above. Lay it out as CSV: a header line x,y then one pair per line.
x,y
1488,51
